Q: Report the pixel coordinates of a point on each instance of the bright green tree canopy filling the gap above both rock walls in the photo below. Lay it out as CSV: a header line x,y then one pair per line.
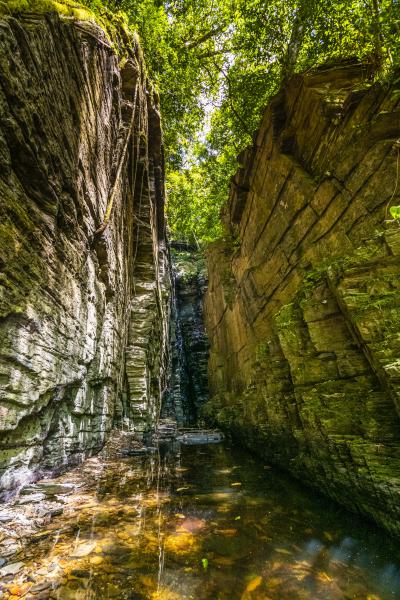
x,y
218,62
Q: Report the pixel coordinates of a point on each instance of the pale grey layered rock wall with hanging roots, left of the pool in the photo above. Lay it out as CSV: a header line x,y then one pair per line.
x,y
77,134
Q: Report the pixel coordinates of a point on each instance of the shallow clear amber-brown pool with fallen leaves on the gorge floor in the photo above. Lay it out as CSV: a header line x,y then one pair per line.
x,y
209,522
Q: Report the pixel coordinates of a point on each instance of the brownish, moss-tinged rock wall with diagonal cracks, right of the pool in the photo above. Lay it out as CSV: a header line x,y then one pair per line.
x,y
303,304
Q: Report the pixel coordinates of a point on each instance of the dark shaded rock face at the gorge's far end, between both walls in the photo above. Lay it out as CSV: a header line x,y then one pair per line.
x,y
188,385
